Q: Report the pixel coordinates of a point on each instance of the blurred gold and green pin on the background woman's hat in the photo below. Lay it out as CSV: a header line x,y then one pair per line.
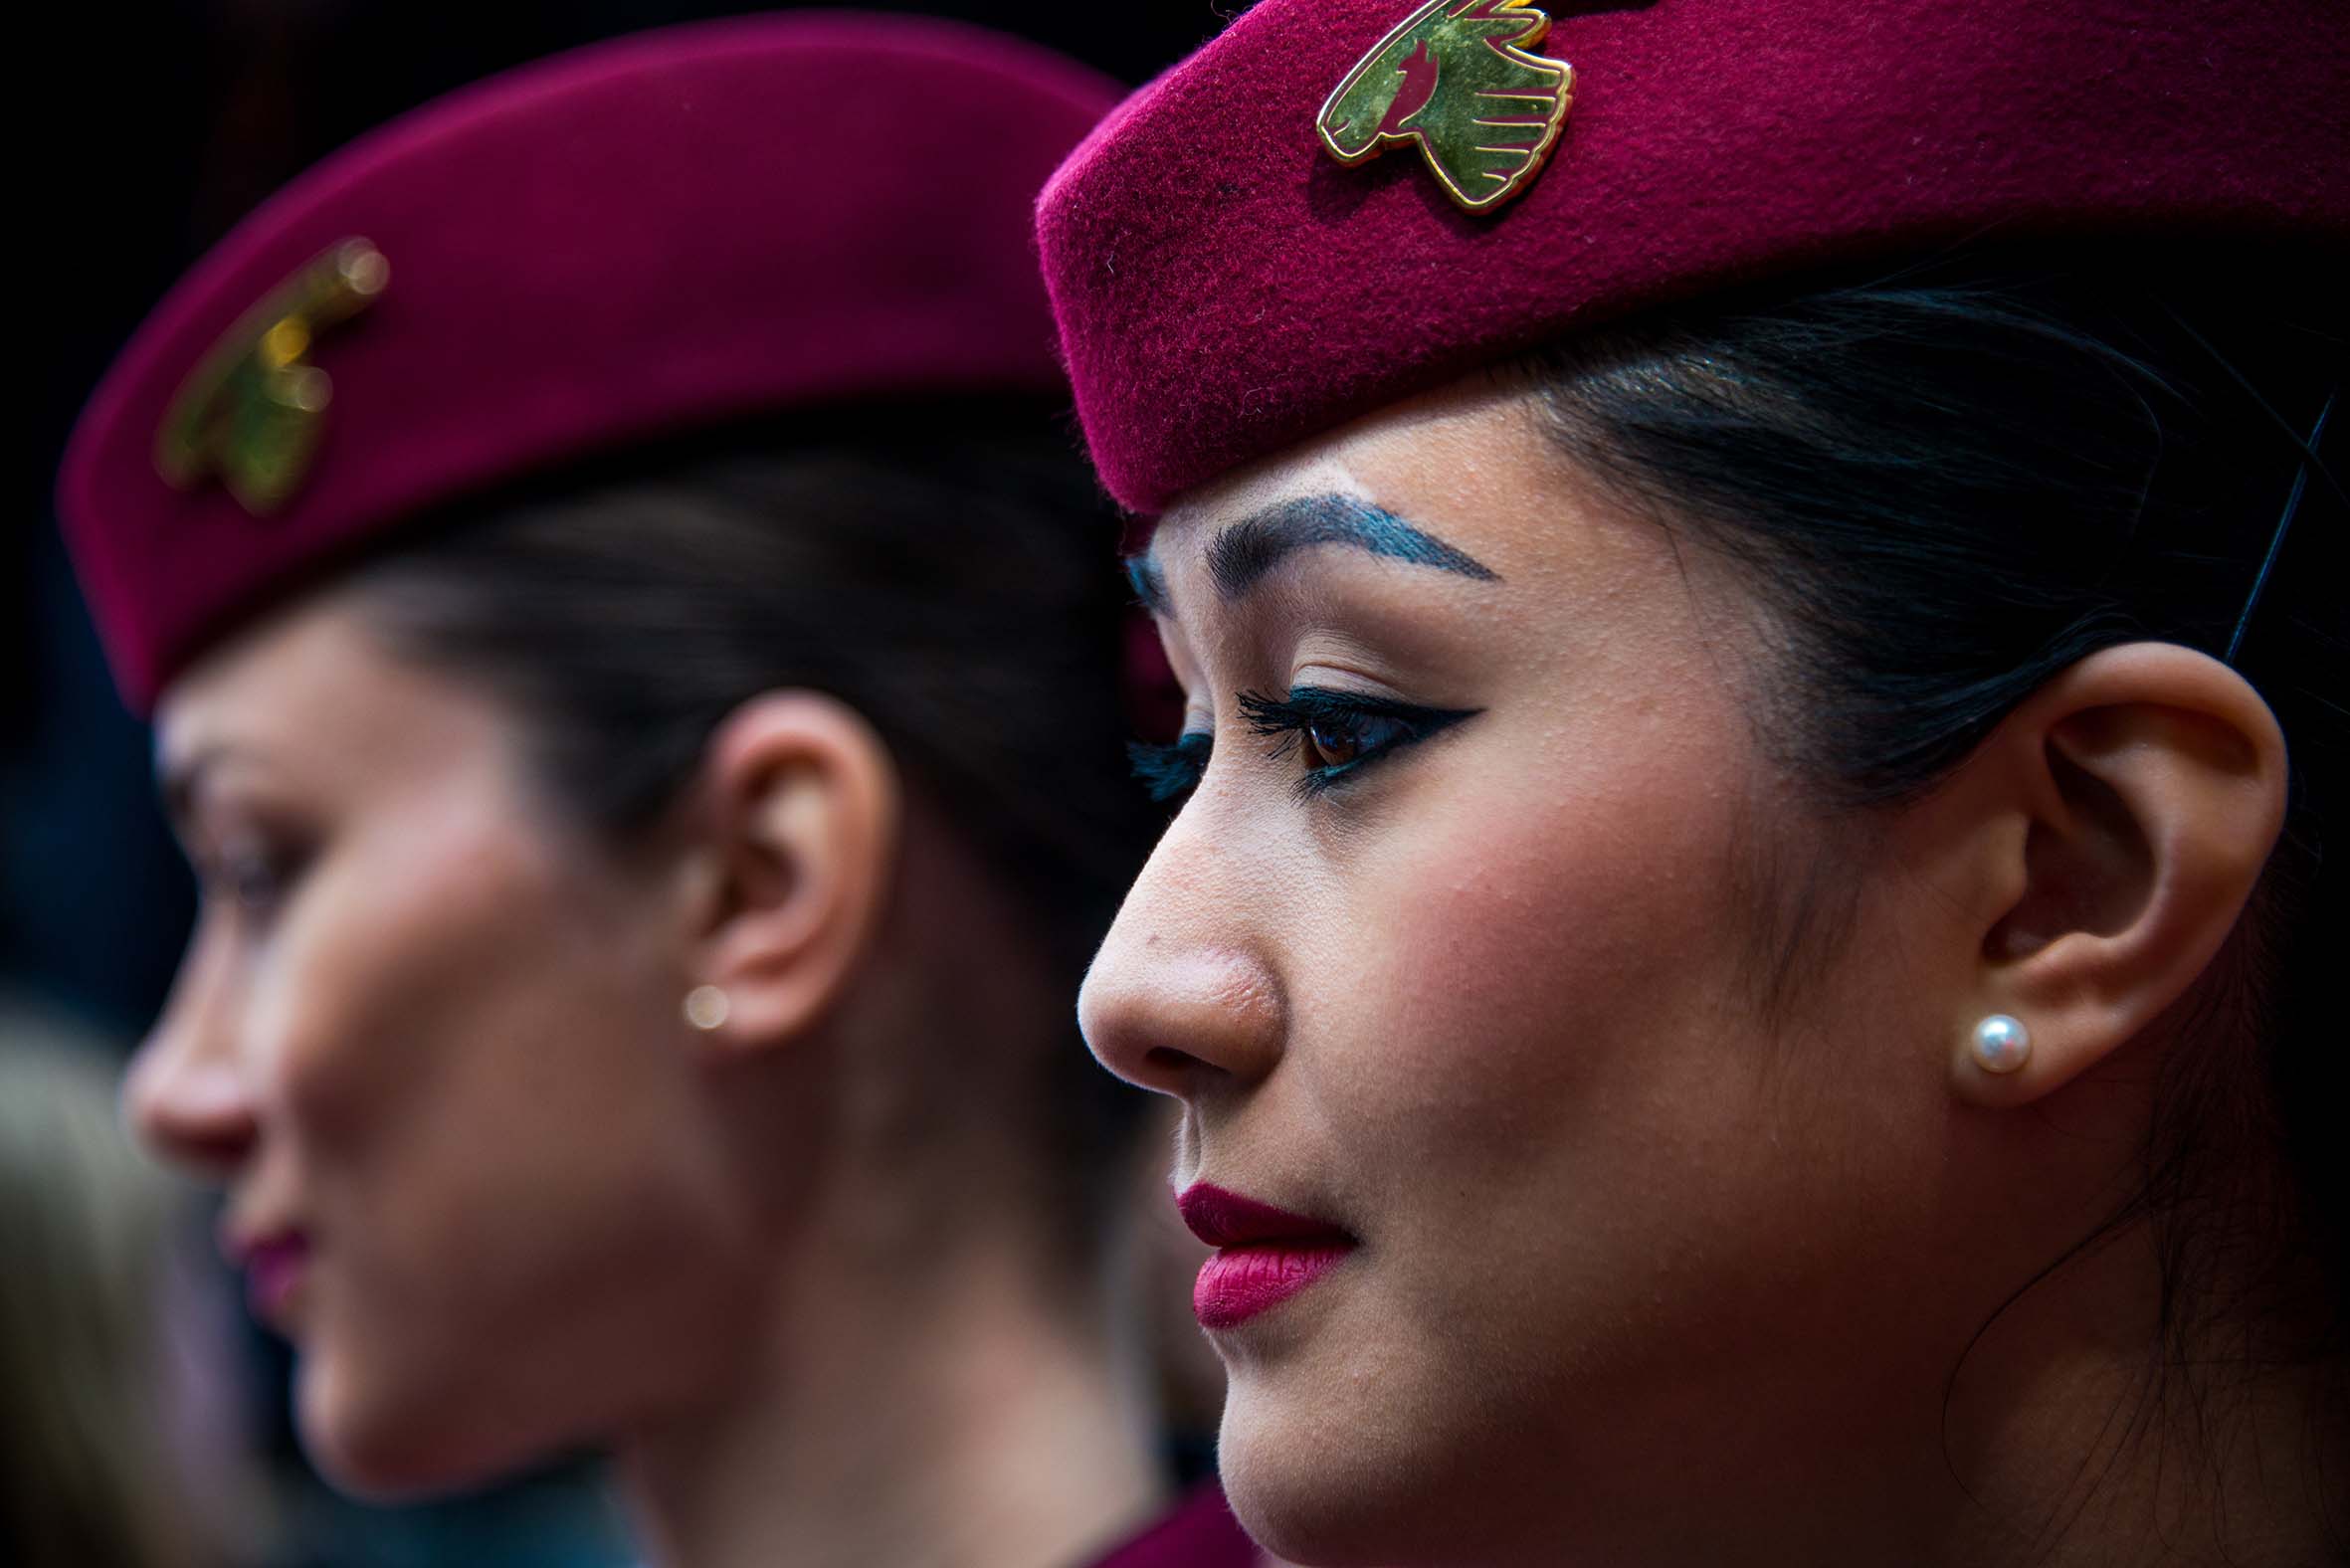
x,y
255,408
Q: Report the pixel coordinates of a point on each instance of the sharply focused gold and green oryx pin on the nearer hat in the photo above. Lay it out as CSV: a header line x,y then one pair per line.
x,y
1461,79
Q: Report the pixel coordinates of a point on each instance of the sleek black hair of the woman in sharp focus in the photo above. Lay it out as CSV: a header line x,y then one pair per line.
x,y
1952,483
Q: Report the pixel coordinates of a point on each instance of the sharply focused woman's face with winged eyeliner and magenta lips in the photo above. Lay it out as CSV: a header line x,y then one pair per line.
x,y
1461,953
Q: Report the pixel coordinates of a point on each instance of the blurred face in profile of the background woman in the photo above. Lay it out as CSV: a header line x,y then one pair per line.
x,y
431,1040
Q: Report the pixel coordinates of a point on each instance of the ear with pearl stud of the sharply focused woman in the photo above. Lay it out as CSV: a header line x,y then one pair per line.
x,y
2128,812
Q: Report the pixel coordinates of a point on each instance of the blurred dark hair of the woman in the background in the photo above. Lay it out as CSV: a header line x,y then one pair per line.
x,y
946,570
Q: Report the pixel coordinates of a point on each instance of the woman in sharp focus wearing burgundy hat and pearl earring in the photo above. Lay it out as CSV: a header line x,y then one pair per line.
x,y
1750,937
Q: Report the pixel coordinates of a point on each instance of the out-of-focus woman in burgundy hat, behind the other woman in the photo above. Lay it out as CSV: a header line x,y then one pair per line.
x,y
615,601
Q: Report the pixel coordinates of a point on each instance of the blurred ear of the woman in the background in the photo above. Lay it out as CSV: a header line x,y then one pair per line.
x,y
800,836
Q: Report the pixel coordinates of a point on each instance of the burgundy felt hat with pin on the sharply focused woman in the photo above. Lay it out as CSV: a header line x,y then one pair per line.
x,y
1280,236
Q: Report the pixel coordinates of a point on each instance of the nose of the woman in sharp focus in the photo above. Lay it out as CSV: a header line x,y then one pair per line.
x,y
1181,998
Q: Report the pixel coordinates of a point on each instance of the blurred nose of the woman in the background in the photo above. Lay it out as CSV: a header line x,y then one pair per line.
x,y
187,1094
